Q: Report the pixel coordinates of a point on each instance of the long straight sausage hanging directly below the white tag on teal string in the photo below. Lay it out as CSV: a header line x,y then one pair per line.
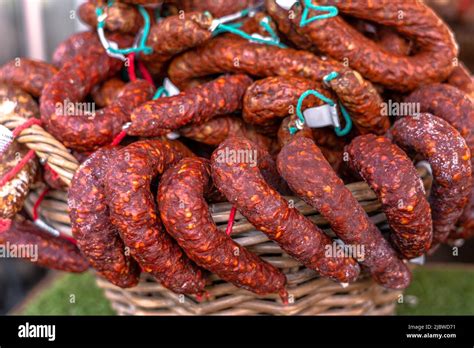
x,y
311,177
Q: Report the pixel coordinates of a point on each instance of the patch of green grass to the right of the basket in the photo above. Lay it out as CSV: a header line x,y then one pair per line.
x,y
440,291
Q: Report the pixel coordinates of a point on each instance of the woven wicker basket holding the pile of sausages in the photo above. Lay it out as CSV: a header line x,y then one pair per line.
x,y
308,294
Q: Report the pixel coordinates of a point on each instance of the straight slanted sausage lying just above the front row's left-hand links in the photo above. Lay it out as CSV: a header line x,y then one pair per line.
x,y
197,105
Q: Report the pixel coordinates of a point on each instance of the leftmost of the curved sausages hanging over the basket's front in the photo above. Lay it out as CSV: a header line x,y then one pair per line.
x,y
96,237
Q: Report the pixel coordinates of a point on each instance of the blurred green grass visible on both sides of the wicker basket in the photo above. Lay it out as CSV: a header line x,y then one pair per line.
x,y
442,290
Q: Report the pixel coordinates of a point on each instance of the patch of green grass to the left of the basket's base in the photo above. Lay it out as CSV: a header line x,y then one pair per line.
x,y
70,295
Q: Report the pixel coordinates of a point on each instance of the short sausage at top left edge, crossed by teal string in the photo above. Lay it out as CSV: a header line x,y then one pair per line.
x,y
121,17
